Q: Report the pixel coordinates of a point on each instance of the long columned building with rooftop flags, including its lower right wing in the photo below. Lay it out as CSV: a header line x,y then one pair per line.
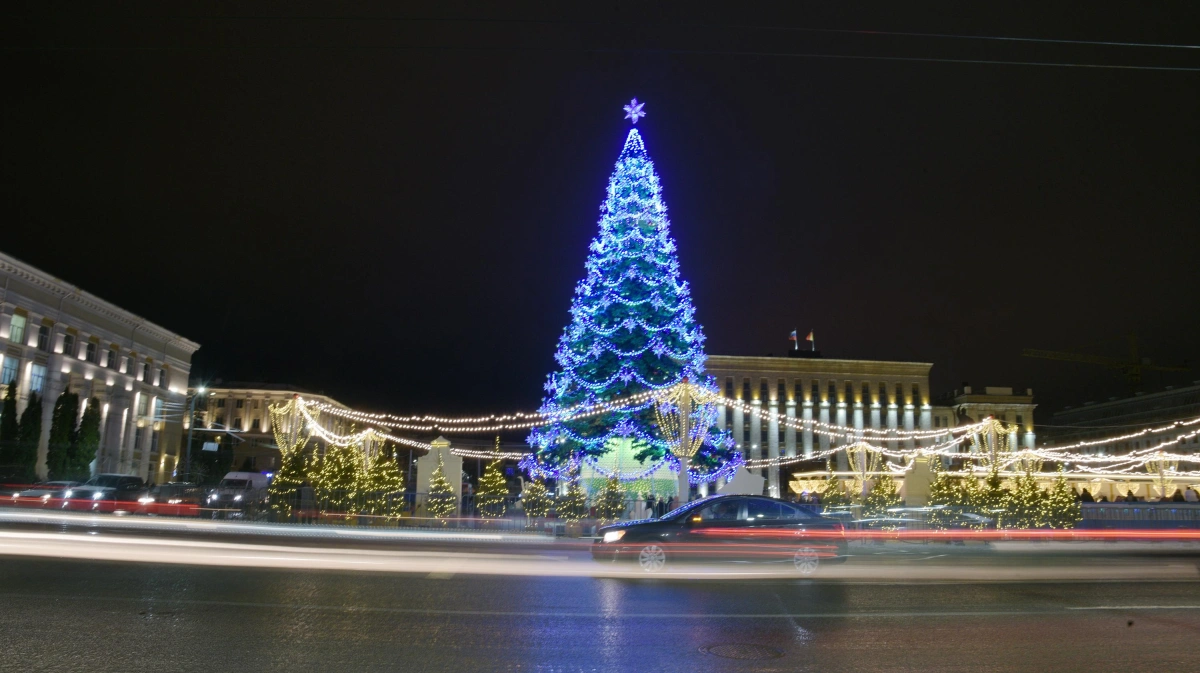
x,y
848,393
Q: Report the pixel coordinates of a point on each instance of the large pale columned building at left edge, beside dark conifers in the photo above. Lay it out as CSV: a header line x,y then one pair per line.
x,y
58,338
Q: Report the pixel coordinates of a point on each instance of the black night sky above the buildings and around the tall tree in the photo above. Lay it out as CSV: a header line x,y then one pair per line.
x,y
393,203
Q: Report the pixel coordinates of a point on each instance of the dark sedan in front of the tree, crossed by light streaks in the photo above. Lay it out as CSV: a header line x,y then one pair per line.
x,y
727,528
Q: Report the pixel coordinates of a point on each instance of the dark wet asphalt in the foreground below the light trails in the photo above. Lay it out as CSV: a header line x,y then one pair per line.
x,y
101,616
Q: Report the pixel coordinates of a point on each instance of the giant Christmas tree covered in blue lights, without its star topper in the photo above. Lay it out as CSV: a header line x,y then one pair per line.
x,y
633,331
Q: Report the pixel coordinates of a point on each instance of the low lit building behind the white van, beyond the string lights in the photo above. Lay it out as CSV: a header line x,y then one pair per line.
x,y
237,413
